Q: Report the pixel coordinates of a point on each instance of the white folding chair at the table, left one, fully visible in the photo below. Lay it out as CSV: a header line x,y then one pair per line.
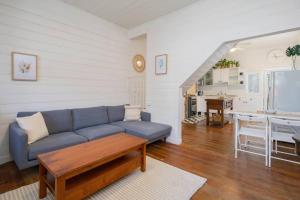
x,y
242,128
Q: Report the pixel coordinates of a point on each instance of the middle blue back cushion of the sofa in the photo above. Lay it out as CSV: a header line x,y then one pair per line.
x,y
86,117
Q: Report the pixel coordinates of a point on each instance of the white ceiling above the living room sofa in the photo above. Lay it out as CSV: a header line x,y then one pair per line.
x,y
129,13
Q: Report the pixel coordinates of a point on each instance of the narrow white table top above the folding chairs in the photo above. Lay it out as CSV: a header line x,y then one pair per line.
x,y
285,115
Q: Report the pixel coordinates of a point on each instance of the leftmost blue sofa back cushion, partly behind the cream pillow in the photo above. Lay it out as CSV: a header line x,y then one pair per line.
x,y
57,121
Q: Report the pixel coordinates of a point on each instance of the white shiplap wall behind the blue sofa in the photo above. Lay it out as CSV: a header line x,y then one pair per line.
x,y
83,60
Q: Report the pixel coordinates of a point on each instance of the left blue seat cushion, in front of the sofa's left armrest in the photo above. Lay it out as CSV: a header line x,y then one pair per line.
x,y
54,142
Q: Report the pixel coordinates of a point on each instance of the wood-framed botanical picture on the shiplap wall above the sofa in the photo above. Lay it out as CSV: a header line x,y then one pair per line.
x,y
24,67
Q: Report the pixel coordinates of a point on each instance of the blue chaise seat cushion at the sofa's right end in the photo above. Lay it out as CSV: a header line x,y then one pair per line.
x,y
148,130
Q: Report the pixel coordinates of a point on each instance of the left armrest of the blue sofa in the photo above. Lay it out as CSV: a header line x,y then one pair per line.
x,y
18,144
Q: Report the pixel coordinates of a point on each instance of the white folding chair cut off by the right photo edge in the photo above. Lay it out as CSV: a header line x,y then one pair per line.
x,y
282,130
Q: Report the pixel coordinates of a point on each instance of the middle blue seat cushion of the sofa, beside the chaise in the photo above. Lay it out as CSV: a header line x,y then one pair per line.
x,y
99,131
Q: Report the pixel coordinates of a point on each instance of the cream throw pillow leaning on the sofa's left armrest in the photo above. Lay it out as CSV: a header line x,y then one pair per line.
x,y
34,126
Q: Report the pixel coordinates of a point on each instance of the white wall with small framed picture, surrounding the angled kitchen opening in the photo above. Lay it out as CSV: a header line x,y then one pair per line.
x,y
192,34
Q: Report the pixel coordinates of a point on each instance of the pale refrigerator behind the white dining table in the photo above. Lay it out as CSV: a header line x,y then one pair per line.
x,y
283,93
